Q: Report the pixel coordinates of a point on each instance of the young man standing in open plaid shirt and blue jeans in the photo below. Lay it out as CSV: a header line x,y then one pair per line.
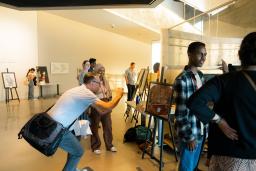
x,y
189,129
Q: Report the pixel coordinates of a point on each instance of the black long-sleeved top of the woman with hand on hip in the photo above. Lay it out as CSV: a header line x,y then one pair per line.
x,y
234,100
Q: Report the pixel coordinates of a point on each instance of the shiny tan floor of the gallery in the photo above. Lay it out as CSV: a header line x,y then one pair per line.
x,y
17,155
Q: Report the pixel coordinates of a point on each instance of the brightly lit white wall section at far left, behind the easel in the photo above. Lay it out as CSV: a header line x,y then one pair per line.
x,y
18,45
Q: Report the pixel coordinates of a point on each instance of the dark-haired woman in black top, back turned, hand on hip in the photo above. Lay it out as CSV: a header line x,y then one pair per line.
x,y
233,137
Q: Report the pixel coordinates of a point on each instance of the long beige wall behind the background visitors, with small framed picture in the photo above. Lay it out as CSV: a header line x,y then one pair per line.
x,y
64,40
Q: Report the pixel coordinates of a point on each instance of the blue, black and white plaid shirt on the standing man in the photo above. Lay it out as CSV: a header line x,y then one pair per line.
x,y
188,126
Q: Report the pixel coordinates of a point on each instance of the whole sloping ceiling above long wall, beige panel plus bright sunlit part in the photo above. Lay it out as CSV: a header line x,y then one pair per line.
x,y
143,24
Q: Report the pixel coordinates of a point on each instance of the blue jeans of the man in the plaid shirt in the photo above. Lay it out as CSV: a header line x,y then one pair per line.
x,y
189,159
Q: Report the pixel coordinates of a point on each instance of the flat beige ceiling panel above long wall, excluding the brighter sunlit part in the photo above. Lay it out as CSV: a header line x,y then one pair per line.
x,y
105,20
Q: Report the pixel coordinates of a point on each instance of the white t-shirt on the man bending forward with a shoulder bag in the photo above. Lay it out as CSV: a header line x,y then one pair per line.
x,y
72,104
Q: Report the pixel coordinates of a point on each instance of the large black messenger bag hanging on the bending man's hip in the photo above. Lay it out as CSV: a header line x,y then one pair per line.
x,y
43,133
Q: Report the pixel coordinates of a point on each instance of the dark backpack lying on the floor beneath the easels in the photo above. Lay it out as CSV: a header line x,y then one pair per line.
x,y
137,134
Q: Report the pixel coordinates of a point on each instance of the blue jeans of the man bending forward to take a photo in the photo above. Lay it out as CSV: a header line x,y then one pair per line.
x,y
70,144
